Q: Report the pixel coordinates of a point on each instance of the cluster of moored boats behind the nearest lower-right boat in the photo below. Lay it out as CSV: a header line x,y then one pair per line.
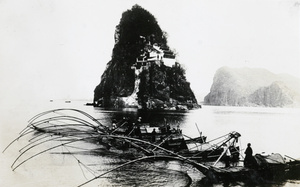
x,y
143,135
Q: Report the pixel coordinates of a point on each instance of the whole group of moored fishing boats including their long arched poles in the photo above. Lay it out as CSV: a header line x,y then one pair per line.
x,y
154,142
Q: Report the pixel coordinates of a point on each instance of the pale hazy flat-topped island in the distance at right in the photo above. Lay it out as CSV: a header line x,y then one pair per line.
x,y
253,87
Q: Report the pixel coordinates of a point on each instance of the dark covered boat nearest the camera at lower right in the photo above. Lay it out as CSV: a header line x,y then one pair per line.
x,y
265,168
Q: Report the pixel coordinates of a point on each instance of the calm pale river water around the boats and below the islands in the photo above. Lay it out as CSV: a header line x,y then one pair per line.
x,y
269,130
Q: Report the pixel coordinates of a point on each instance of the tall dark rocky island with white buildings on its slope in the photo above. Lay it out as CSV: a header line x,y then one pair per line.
x,y
143,71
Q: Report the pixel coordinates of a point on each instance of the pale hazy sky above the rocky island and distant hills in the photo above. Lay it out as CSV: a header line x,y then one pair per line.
x,y
60,48
